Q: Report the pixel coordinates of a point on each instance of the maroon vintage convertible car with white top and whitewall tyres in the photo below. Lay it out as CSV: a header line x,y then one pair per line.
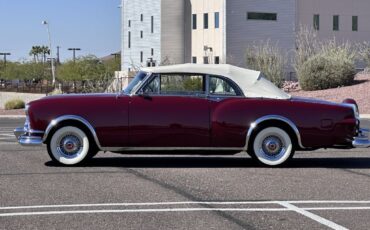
x,y
198,109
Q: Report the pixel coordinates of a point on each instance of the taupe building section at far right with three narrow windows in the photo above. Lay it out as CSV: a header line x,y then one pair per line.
x,y
346,20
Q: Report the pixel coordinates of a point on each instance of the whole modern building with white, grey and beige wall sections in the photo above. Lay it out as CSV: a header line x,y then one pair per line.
x,y
219,31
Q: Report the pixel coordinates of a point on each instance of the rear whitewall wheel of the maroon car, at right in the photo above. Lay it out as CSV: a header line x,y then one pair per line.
x,y
272,146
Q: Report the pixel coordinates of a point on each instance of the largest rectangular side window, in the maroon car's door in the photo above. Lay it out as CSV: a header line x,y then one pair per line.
x,y
182,84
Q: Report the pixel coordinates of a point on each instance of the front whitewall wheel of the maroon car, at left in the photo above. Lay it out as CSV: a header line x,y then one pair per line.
x,y
70,145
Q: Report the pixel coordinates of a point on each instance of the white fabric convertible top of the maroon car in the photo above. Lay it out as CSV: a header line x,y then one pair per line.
x,y
251,82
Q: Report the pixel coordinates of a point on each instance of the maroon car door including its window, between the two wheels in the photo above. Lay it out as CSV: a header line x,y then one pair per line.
x,y
171,110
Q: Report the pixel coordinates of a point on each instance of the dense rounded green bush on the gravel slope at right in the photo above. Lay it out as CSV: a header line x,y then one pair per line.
x,y
326,70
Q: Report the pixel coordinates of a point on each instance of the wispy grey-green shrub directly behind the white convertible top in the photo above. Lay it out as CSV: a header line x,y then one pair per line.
x,y
267,58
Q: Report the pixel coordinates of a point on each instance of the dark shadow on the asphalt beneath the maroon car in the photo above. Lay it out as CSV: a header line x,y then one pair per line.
x,y
218,162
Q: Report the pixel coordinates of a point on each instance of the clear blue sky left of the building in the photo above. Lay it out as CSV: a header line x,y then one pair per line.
x,y
92,25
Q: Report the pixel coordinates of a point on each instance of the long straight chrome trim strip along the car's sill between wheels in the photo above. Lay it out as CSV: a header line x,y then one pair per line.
x,y
120,149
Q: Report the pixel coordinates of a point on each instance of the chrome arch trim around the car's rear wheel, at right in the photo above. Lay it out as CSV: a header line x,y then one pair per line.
x,y
268,118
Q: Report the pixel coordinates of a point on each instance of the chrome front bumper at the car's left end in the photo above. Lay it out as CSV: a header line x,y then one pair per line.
x,y
28,137
